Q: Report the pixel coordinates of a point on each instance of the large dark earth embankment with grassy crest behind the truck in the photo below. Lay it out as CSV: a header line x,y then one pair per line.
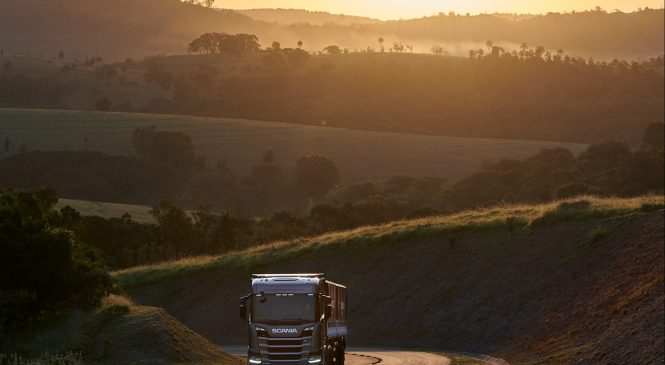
x,y
575,281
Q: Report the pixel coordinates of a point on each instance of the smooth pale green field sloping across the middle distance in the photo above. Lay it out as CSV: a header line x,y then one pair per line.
x,y
360,155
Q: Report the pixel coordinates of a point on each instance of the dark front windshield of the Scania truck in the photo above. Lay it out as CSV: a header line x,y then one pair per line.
x,y
284,308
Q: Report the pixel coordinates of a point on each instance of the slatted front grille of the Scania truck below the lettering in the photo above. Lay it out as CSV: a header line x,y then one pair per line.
x,y
285,350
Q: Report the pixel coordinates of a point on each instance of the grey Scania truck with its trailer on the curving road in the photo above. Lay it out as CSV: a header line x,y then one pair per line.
x,y
295,319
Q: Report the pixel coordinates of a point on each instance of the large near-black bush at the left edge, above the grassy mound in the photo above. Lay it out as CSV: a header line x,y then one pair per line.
x,y
44,267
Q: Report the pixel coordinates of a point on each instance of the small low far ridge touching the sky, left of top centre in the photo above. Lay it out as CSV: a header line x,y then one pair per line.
x,y
295,16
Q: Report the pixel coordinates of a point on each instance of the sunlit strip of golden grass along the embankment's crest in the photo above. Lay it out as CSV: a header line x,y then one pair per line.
x,y
505,218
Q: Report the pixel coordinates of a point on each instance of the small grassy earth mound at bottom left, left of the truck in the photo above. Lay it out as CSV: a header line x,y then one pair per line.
x,y
110,334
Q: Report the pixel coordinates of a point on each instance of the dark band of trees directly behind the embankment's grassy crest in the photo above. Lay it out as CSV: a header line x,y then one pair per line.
x,y
603,169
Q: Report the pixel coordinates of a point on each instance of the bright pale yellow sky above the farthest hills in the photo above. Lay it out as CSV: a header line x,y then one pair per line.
x,y
393,9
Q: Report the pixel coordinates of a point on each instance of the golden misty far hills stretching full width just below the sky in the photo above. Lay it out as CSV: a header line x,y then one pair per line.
x,y
117,29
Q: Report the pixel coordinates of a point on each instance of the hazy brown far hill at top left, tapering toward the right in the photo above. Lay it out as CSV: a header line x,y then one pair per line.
x,y
113,29
